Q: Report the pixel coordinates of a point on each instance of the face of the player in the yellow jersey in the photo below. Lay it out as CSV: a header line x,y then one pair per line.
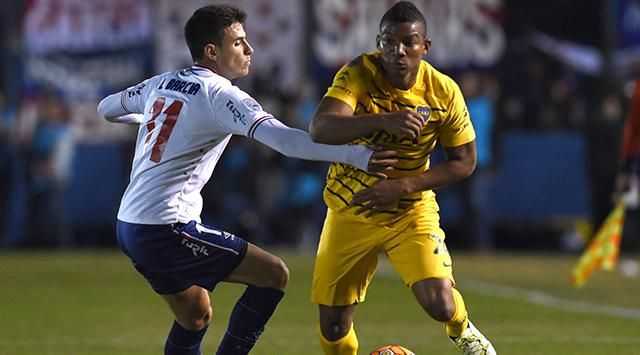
x,y
403,45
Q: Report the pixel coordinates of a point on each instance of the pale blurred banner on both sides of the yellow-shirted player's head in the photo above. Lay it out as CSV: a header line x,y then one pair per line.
x,y
463,32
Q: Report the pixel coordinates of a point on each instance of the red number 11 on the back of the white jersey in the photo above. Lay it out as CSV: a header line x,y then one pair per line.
x,y
172,113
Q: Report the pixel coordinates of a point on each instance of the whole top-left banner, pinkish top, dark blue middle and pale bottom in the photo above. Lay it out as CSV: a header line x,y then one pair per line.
x,y
86,48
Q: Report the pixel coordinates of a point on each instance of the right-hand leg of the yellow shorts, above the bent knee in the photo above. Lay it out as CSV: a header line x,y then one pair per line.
x,y
420,256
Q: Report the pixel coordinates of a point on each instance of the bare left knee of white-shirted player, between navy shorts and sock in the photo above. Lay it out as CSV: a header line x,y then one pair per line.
x,y
191,307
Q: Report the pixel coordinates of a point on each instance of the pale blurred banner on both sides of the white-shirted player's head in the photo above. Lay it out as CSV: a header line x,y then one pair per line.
x,y
275,29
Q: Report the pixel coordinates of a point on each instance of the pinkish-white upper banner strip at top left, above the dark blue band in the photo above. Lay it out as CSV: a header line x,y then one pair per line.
x,y
85,25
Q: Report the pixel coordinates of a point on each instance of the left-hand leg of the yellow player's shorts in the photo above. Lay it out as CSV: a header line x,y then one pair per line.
x,y
346,260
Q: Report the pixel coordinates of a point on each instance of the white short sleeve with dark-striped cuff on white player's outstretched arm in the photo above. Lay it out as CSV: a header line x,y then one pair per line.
x,y
237,112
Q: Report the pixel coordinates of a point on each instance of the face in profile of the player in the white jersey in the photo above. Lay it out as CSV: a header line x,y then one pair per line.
x,y
233,57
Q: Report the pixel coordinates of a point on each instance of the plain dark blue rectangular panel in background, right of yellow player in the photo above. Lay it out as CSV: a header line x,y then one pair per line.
x,y
541,177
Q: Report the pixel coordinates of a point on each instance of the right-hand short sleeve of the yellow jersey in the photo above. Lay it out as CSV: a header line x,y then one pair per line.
x,y
457,128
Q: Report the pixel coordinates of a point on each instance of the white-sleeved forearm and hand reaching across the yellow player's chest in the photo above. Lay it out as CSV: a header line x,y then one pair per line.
x,y
296,143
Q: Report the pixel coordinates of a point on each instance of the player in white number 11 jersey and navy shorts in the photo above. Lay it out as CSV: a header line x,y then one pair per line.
x,y
186,119
